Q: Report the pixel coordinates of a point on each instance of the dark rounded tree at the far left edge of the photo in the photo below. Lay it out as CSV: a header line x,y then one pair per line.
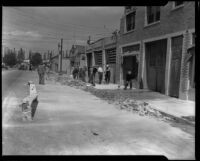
x,y
10,58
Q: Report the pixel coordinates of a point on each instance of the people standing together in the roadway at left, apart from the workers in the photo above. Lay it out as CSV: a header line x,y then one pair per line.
x,y
42,71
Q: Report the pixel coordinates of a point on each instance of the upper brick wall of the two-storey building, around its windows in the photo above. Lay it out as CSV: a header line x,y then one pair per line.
x,y
170,21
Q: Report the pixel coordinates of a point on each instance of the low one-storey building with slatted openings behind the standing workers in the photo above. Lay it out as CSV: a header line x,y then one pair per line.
x,y
101,53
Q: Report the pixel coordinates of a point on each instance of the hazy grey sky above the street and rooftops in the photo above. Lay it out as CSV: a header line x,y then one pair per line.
x,y
41,28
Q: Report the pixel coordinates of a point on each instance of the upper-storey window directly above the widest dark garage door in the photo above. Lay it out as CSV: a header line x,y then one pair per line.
x,y
153,14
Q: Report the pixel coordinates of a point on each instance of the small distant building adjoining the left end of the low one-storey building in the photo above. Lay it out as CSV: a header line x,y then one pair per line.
x,y
77,56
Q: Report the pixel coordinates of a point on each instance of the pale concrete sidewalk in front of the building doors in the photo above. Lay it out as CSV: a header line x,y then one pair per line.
x,y
172,106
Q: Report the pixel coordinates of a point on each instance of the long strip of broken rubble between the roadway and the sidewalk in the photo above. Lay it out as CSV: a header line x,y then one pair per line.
x,y
123,100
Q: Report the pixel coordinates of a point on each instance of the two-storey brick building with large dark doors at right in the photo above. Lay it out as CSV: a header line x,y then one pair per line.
x,y
153,43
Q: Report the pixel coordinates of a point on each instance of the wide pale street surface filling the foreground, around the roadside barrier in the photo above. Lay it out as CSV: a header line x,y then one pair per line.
x,y
70,121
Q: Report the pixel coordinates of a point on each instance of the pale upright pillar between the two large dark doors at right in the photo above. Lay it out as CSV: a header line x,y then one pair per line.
x,y
168,66
